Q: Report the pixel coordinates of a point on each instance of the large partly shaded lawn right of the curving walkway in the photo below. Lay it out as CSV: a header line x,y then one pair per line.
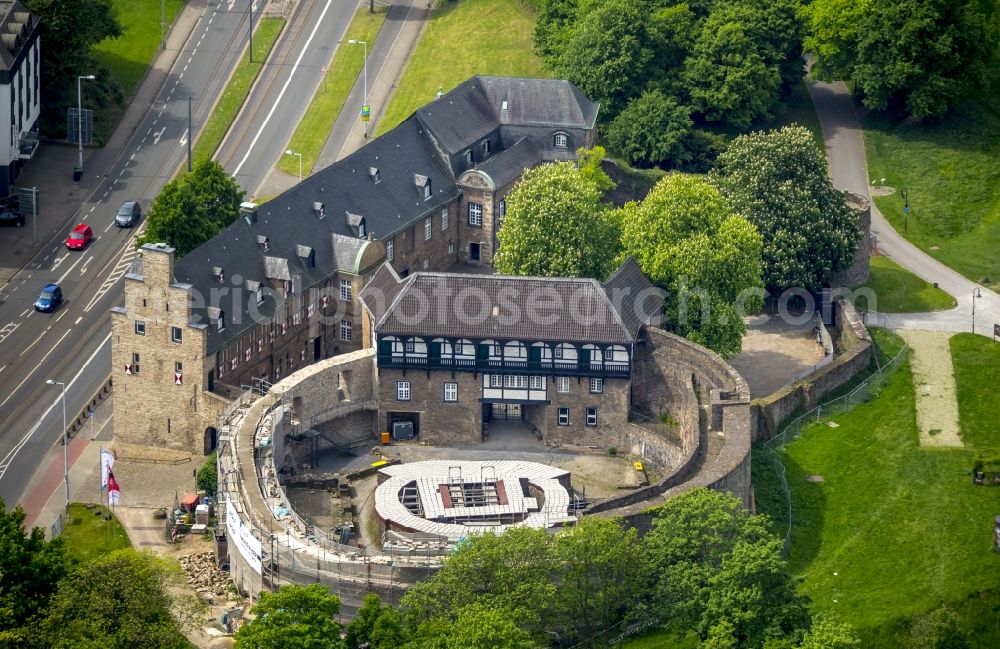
x,y
951,172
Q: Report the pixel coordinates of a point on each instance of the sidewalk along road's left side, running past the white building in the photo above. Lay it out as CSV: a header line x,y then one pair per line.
x,y
51,170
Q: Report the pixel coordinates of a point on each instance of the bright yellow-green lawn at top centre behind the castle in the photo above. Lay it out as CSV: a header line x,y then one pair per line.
x,y
463,39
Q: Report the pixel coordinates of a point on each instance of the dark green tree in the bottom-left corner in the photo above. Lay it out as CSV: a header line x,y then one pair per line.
x,y
30,569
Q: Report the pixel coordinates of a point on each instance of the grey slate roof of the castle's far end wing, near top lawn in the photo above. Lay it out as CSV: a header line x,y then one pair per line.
x,y
475,108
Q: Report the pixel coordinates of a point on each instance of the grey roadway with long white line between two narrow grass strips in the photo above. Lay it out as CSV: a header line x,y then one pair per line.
x,y
279,98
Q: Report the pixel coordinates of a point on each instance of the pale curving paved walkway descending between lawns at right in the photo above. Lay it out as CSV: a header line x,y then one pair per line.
x,y
845,149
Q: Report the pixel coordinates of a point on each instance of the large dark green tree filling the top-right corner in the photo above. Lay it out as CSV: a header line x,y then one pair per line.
x,y
920,56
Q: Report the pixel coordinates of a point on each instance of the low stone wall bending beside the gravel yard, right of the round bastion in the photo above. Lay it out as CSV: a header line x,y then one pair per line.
x,y
854,350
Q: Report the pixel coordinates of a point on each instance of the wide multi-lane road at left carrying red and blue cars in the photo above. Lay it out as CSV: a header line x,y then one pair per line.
x,y
73,344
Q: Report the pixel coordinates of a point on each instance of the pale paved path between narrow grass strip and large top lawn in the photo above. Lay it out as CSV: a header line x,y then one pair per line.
x,y
387,61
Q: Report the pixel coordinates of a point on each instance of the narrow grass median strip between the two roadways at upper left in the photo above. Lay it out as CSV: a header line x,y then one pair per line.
x,y
267,32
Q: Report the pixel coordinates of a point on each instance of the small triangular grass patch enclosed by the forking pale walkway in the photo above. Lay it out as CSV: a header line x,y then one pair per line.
x,y
897,290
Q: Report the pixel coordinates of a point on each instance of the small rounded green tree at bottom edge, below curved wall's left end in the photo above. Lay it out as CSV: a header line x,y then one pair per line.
x,y
295,617
